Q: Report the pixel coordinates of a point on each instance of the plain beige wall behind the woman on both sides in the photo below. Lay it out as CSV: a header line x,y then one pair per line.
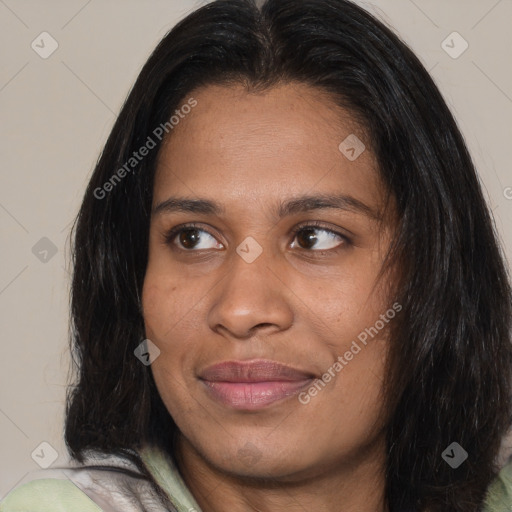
x,y
57,112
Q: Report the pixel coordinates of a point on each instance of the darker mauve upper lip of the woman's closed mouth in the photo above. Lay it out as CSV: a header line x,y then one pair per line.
x,y
259,370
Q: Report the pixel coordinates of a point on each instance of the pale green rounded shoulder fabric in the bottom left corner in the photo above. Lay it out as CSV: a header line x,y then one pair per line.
x,y
48,495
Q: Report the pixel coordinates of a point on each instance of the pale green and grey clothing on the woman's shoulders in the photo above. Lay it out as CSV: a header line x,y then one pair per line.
x,y
79,489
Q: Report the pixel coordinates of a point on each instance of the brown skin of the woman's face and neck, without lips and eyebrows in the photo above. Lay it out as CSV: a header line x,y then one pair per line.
x,y
300,304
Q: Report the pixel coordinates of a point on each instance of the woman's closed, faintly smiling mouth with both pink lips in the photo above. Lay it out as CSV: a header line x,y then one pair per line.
x,y
251,385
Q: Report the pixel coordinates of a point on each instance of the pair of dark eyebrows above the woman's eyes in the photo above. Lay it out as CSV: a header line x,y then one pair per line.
x,y
301,204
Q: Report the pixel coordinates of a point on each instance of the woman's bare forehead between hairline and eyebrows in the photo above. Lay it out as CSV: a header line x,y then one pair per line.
x,y
283,141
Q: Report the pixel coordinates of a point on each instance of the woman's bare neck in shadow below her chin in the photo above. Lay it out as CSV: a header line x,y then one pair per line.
x,y
355,487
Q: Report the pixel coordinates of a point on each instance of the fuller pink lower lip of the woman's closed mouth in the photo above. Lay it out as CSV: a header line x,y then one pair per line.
x,y
254,395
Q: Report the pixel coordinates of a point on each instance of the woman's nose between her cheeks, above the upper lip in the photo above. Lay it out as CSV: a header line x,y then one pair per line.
x,y
250,297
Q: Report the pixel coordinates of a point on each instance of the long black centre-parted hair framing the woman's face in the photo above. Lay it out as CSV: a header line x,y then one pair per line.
x,y
449,367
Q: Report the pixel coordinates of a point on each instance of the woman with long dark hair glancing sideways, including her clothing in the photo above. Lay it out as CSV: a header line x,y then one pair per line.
x,y
287,291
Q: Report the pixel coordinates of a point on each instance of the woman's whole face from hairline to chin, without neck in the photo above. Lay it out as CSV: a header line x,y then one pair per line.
x,y
272,287
